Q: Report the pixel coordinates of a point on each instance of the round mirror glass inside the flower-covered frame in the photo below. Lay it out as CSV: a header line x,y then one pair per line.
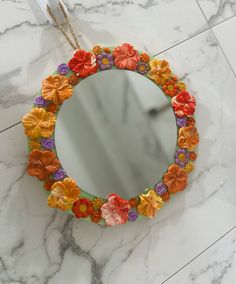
x,y
116,134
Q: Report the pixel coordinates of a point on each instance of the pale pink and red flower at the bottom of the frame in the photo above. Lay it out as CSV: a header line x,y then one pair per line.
x,y
115,211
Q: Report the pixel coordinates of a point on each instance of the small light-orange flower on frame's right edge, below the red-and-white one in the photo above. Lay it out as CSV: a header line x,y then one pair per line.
x,y
188,137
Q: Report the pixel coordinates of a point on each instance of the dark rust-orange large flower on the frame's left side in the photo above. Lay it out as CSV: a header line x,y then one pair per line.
x,y
42,164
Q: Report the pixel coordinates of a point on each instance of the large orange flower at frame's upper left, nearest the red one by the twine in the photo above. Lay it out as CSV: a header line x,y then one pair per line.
x,y
56,88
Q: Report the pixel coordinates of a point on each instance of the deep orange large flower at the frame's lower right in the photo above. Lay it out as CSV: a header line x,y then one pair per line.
x,y
175,179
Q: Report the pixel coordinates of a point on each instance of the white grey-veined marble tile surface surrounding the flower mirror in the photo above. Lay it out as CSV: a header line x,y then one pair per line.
x,y
192,239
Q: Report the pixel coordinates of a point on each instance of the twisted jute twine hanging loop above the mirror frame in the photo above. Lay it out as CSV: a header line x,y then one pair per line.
x,y
75,45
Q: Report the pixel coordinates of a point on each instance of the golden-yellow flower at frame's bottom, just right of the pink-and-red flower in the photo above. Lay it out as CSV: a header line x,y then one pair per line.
x,y
149,204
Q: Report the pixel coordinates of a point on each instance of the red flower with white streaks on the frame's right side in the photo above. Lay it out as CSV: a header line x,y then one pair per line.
x,y
184,104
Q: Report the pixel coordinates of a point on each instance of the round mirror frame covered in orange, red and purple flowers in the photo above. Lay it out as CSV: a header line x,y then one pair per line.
x,y
39,126
